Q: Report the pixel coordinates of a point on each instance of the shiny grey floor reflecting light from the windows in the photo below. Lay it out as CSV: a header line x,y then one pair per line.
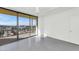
x,y
40,44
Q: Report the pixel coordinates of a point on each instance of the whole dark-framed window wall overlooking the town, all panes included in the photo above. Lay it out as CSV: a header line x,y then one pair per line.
x,y
16,25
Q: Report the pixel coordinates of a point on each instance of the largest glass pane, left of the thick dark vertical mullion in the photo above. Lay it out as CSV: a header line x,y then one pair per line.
x,y
8,26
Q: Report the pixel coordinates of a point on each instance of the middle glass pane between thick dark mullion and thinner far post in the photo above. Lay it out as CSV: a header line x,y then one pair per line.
x,y
24,27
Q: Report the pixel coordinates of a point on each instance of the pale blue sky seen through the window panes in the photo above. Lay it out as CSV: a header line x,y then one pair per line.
x,y
11,20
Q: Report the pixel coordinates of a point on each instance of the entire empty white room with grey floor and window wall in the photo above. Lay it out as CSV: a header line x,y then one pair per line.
x,y
39,28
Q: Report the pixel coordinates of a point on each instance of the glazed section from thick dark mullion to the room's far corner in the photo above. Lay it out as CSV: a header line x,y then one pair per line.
x,y
27,25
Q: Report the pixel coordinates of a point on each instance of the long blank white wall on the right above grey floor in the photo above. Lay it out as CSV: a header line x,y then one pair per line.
x,y
63,25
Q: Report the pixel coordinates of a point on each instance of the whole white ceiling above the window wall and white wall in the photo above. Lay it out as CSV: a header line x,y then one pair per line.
x,y
40,11
